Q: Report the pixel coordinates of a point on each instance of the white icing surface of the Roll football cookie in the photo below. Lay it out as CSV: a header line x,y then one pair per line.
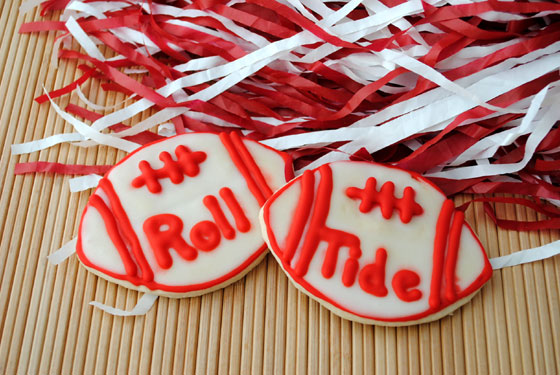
x,y
185,200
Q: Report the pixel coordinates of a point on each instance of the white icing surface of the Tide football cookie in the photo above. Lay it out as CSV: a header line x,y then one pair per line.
x,y
409,246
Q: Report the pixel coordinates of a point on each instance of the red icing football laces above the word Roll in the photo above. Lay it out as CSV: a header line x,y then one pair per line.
x,y
187,163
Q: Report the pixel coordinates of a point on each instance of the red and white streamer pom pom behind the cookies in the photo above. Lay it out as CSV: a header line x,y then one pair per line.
x,y
462,92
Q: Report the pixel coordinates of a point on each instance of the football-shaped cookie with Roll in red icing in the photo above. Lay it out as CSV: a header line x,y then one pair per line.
x,y
179,217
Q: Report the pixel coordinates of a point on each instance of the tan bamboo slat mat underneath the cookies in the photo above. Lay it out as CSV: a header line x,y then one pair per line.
x,y
260,324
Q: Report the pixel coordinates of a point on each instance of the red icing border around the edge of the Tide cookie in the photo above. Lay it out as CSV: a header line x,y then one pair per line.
x,y
484,276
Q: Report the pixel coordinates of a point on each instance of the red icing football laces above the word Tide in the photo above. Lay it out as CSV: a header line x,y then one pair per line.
x,y
386,200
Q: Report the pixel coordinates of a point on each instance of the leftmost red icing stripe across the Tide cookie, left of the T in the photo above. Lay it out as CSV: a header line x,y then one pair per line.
x,y
301,215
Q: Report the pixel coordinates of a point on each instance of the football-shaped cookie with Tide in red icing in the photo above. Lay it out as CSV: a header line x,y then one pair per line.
x,y
374,244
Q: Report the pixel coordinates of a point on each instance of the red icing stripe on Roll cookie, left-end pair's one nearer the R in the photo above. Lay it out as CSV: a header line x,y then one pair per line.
x,y
126,227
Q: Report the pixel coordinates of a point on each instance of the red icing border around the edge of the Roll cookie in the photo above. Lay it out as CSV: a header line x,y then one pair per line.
x,y
152,285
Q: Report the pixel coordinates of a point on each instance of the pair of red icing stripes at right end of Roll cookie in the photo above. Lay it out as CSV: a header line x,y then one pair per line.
x,y
247,166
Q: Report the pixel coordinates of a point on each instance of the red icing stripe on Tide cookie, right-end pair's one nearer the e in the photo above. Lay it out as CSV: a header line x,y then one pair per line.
x,y
440,243
